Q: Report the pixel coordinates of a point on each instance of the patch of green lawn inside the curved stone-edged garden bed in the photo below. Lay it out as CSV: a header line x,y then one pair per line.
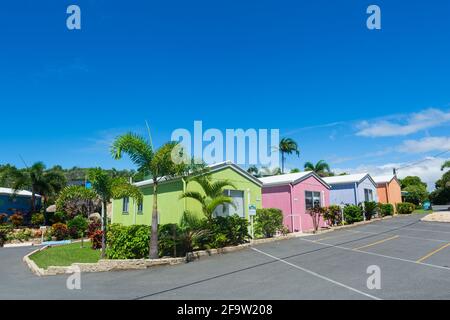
x,y
66,255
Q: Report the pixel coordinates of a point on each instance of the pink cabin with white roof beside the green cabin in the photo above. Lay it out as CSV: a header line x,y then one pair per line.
x,y
294,194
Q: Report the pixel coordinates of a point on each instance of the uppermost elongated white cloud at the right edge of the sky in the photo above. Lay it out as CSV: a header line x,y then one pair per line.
x,y
410,124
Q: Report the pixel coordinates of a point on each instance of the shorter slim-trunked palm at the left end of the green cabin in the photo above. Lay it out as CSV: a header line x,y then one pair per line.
x,y
108,187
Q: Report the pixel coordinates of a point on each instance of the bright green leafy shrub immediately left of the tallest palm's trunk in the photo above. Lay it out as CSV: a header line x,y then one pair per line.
x,y
131,242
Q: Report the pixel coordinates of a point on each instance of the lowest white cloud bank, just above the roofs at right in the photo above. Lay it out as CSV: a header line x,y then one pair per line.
x,y
429,171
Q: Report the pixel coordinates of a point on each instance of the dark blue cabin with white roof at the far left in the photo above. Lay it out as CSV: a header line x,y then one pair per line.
x,y
20,201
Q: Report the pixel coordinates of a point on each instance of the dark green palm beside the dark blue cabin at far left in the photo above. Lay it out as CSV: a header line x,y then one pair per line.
x,y
37,179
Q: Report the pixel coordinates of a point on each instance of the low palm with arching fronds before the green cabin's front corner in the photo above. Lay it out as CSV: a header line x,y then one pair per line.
x,y
212,195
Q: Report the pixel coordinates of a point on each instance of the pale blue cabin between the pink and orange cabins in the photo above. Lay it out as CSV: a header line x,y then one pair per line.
x,y
352,189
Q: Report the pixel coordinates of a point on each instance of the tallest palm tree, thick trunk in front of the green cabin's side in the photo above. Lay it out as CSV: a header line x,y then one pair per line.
x,y
154,163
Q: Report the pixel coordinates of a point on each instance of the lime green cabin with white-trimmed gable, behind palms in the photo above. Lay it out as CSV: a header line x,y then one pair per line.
x,y
170,207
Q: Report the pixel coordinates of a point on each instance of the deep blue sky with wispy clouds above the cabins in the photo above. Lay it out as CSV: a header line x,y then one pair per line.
x,y
360,99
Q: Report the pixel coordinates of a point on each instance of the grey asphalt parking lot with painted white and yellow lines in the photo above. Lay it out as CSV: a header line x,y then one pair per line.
x,y
413,258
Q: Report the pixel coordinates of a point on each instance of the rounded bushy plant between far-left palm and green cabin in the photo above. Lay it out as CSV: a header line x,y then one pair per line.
x,y
77,200
